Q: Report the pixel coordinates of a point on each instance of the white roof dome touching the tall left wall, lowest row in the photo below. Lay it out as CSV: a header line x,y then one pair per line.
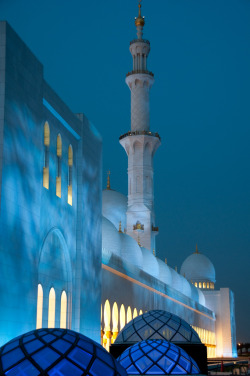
x,y
111,242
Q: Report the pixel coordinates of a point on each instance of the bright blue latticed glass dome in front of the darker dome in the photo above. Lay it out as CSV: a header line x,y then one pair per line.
x,y
157,357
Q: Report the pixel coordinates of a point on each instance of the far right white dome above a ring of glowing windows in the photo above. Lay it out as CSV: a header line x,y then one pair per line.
x,y
198,267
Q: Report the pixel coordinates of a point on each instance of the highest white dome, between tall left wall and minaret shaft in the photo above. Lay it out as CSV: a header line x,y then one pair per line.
x,y
114,207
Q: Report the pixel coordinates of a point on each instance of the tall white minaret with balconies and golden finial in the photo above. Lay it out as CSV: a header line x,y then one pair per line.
x,y
140,145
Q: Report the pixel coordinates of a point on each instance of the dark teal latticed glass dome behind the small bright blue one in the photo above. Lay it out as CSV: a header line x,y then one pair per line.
x,y
157,324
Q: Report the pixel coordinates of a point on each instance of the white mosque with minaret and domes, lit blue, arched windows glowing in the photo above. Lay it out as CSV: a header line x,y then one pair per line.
x,y
72,256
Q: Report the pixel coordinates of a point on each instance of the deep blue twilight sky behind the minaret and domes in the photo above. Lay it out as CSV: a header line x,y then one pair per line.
x,y
200,55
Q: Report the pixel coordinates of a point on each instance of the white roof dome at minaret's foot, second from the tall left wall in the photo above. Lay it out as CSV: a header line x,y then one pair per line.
x,y
130,250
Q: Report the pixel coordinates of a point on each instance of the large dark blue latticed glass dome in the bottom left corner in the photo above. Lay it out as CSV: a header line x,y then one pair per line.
x,y
56,352
